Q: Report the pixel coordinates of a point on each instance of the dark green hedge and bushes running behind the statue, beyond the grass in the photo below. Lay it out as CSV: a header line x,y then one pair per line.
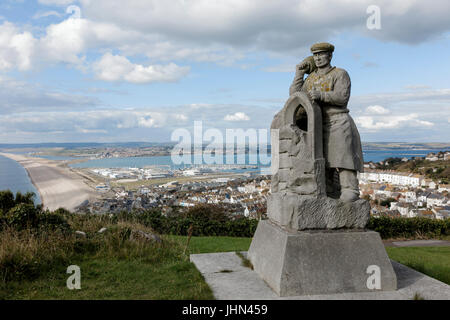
x,y
206,220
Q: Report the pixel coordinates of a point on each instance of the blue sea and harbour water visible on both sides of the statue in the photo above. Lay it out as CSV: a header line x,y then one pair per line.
x,y
14,177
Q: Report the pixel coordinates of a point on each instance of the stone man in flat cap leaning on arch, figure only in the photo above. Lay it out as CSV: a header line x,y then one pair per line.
x,y
329,87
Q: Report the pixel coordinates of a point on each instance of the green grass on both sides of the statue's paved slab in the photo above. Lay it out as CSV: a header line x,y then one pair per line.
x,y
163,272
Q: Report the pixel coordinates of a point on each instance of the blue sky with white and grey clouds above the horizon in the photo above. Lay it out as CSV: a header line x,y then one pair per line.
x,y
136,70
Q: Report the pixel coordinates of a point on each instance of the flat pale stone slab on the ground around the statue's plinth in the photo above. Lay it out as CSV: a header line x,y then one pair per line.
x,y
230,279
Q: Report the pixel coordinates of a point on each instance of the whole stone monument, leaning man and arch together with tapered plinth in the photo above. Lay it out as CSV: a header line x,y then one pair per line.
x,y
314,240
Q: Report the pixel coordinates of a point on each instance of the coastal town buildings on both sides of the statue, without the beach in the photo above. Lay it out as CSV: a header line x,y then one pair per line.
x,y
390,192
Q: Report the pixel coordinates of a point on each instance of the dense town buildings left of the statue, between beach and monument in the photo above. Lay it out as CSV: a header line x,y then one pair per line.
x,y
241,193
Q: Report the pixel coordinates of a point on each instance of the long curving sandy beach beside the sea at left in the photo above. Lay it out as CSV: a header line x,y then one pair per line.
x,y
58,187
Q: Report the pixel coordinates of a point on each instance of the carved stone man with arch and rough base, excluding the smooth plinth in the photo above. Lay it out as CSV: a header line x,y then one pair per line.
x,y
316,152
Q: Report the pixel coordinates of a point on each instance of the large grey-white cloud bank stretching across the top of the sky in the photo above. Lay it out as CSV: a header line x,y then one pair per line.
x,y
175,30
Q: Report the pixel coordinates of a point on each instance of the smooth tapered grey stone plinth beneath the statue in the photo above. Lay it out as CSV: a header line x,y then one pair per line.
x,y
320,261
